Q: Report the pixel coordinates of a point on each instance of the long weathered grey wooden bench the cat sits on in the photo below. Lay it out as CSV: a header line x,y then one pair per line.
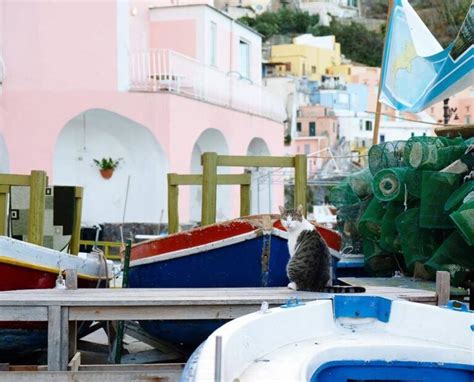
x,y
59,307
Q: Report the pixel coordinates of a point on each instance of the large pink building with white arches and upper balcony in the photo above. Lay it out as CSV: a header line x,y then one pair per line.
x,y
154,84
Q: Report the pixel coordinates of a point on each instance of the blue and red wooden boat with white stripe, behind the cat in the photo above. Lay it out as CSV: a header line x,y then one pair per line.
x,y
246,252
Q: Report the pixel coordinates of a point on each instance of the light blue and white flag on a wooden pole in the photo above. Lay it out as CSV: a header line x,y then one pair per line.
x,y
417,71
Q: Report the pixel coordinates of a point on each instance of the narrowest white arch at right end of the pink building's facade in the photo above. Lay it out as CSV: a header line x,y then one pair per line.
x,y
261,179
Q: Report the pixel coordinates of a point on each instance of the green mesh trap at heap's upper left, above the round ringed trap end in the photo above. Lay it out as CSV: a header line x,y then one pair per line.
x,y
385,155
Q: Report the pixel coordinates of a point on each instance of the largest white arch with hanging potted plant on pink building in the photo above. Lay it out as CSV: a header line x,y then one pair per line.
x,y
98,133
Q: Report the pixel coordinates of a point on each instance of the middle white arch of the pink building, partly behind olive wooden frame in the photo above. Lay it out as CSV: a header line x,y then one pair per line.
x,y
210,140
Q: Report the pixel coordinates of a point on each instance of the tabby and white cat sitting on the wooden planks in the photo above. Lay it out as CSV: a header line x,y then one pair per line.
x,y
308,268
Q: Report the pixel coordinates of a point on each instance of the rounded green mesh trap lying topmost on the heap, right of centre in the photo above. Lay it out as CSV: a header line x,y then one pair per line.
x,y
432,153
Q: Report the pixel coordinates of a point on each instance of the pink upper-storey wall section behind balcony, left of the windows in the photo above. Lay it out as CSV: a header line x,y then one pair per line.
x,y
178,35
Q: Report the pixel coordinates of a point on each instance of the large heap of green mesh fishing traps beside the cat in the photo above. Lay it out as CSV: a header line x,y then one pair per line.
x,y
407,212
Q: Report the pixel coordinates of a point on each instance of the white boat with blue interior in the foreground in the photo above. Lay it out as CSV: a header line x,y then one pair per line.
x,y
348,338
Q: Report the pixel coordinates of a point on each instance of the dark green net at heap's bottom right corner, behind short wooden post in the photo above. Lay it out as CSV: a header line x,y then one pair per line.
x,y
454,256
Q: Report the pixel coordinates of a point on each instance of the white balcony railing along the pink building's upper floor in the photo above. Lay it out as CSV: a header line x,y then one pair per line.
x,y
166,70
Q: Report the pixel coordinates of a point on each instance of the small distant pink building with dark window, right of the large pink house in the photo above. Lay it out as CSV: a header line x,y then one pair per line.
x,y
317,130
